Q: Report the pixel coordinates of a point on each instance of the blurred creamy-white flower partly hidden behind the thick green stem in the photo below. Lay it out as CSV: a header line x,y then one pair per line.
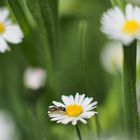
x,y
112,57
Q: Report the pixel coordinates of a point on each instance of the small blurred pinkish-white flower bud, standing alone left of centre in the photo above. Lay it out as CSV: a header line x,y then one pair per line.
x,y
34,78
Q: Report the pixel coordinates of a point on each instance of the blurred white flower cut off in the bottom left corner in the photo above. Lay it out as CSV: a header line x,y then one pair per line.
x,y
7,127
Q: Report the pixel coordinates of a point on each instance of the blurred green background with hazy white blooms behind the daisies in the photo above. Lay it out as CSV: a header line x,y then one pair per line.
x,y
51,61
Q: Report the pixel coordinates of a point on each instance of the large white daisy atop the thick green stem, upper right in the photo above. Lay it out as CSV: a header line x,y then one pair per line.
x,y
122,26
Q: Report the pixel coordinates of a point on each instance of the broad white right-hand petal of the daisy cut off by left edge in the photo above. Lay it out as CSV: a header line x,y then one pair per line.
x,y
13,34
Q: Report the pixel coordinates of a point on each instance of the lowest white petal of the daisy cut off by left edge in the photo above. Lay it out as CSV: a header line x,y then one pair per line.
x,y
3,45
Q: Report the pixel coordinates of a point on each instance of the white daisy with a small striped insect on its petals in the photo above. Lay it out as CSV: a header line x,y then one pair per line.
x,y
73,109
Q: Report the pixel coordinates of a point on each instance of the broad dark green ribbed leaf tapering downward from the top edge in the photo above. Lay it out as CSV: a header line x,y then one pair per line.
x,y
49,12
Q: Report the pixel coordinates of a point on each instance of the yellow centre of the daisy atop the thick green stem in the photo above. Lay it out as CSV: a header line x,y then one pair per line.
x,y
131,27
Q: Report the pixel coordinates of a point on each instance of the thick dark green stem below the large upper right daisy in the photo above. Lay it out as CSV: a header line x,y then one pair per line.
x,y
129,83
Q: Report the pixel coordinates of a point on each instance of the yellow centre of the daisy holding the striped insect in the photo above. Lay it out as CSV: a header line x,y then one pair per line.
x,y
74,110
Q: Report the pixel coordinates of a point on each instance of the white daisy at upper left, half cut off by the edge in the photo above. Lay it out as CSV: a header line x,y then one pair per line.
x,y
8,32
